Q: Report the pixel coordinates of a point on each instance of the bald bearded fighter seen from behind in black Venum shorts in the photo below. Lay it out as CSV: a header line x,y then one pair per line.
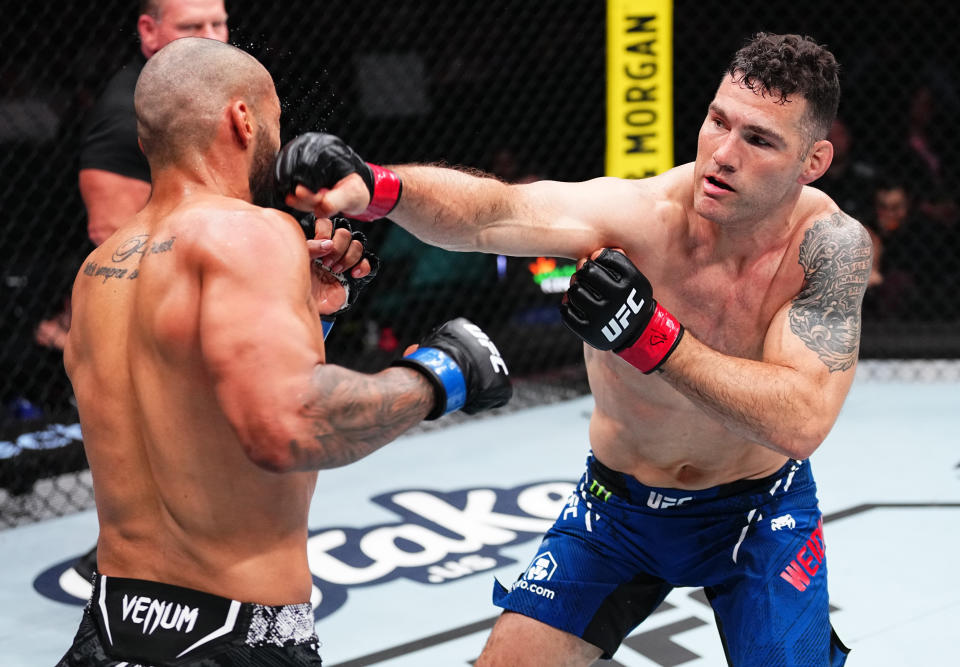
x,y
197,358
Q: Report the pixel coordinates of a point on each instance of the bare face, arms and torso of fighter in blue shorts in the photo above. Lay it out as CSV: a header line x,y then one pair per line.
x,y
765,273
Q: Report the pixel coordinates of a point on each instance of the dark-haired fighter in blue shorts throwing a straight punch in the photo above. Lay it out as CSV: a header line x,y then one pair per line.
x,y
720,304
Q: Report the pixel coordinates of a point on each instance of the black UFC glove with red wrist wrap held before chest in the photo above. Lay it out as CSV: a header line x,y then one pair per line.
x,y
610,306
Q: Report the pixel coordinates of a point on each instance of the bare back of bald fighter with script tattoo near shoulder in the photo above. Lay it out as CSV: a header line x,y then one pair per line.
x,y
179,500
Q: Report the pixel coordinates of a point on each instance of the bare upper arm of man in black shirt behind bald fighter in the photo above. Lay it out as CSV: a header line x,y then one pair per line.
x,y
111,200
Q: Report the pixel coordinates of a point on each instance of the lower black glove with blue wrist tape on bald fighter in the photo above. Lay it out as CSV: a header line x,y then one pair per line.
x,y
464,367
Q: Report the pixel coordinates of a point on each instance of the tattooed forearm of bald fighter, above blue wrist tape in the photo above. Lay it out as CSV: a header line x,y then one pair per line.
x,y
355,414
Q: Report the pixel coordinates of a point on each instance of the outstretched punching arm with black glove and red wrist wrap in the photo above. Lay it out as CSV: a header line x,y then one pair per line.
x,y
454,209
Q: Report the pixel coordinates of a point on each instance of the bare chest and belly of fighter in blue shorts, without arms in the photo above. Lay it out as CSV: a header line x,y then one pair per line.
x,y
727,302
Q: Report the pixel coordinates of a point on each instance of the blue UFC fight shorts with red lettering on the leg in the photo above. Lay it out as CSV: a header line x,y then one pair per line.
x,y
755,546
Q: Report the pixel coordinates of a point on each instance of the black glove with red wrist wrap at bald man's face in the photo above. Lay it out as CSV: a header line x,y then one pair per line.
x,y
317,160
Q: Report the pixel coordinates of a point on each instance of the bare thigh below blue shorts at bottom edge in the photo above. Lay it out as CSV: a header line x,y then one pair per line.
x,y
520,641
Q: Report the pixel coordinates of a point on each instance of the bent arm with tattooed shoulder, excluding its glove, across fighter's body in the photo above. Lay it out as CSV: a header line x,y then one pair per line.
x,y
790,399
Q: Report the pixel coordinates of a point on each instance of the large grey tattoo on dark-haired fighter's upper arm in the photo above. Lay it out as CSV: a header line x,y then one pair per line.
x,y
836,256
